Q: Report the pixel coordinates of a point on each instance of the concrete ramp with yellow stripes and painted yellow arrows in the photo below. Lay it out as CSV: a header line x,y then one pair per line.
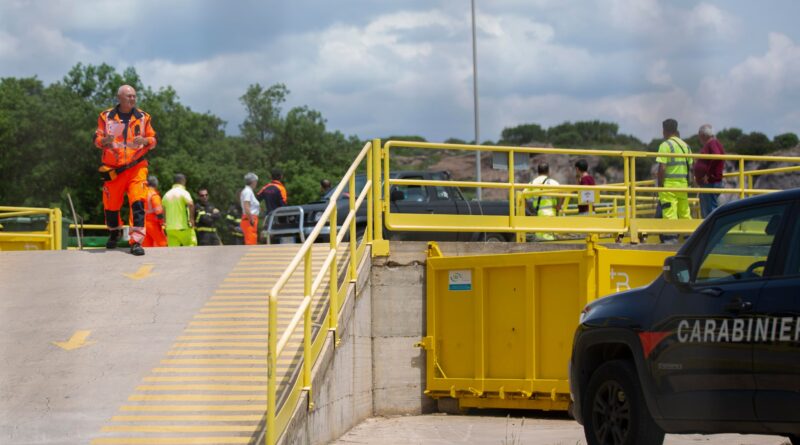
x,y
101,347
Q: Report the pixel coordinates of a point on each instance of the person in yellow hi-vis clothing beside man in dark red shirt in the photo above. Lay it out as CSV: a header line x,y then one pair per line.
x,y
673,172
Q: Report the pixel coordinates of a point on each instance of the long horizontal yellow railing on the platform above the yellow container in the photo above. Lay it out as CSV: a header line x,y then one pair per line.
x,y
635,221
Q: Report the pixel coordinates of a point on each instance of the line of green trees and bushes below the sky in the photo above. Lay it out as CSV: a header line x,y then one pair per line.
x,y
46,149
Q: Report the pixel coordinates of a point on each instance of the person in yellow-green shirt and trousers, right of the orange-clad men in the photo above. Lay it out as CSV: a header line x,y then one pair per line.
x,y
179,212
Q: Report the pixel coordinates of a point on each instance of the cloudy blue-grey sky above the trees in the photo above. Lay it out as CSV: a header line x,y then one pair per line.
x,y
378,67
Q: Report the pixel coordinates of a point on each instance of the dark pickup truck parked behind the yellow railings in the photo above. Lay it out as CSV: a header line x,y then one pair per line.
x,y
294,223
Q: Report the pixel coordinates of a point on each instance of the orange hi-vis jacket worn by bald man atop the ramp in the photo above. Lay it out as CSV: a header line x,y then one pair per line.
x,y
123,151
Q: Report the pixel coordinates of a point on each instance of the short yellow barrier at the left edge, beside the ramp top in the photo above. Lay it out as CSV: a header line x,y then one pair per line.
x,y
47,239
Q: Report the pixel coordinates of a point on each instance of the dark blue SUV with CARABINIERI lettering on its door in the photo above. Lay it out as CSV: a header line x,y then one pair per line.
x,y
711,346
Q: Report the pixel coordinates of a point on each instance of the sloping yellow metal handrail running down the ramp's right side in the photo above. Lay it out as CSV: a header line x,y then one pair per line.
x,y
278,417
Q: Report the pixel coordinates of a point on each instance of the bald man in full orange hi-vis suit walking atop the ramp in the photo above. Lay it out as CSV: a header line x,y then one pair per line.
x,y
125,135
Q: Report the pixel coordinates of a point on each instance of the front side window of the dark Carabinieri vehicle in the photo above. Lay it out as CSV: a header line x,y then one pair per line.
x,y
739,245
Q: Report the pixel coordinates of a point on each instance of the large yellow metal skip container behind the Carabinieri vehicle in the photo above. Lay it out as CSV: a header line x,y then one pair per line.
x,y
500,327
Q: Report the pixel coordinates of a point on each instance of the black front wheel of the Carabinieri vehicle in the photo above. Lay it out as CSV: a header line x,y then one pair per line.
x,y
614,409
